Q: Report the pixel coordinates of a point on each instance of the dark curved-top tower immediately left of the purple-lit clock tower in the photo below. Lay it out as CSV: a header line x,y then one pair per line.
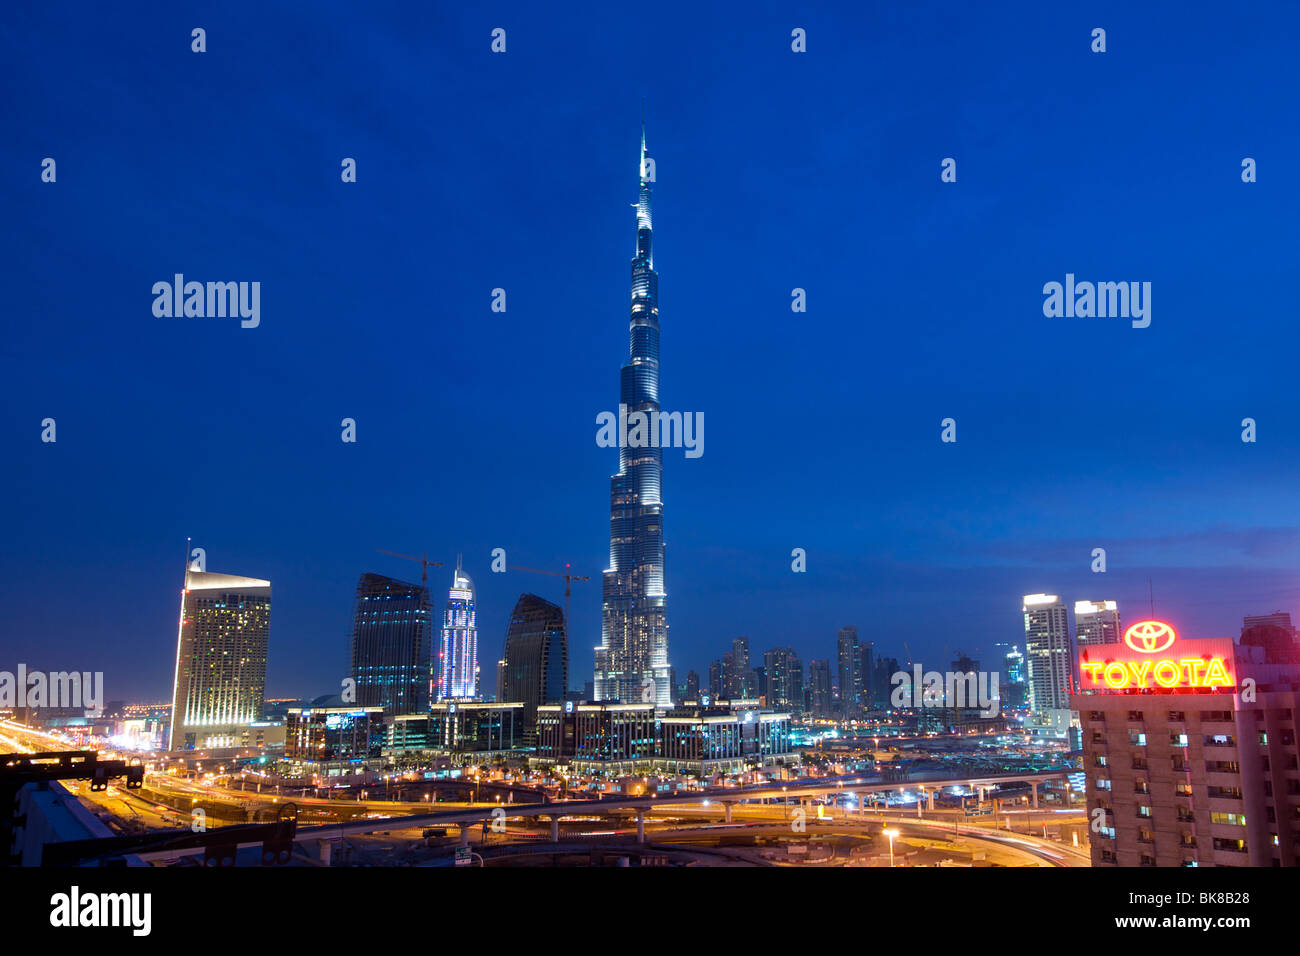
x,y
392,644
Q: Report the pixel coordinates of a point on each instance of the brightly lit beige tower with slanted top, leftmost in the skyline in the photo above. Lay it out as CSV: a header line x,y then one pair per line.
x,y
220,660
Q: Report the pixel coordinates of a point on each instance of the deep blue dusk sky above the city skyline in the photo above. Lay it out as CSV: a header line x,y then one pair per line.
x,y
775,171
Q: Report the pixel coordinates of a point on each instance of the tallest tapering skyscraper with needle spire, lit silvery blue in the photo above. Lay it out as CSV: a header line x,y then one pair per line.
x,y
632,660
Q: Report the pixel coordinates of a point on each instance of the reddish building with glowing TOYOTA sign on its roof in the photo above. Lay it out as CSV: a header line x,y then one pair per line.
x,y
1188,771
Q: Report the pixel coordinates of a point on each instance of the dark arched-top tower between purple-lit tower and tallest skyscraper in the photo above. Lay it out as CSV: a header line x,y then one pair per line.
x,y
536,663
